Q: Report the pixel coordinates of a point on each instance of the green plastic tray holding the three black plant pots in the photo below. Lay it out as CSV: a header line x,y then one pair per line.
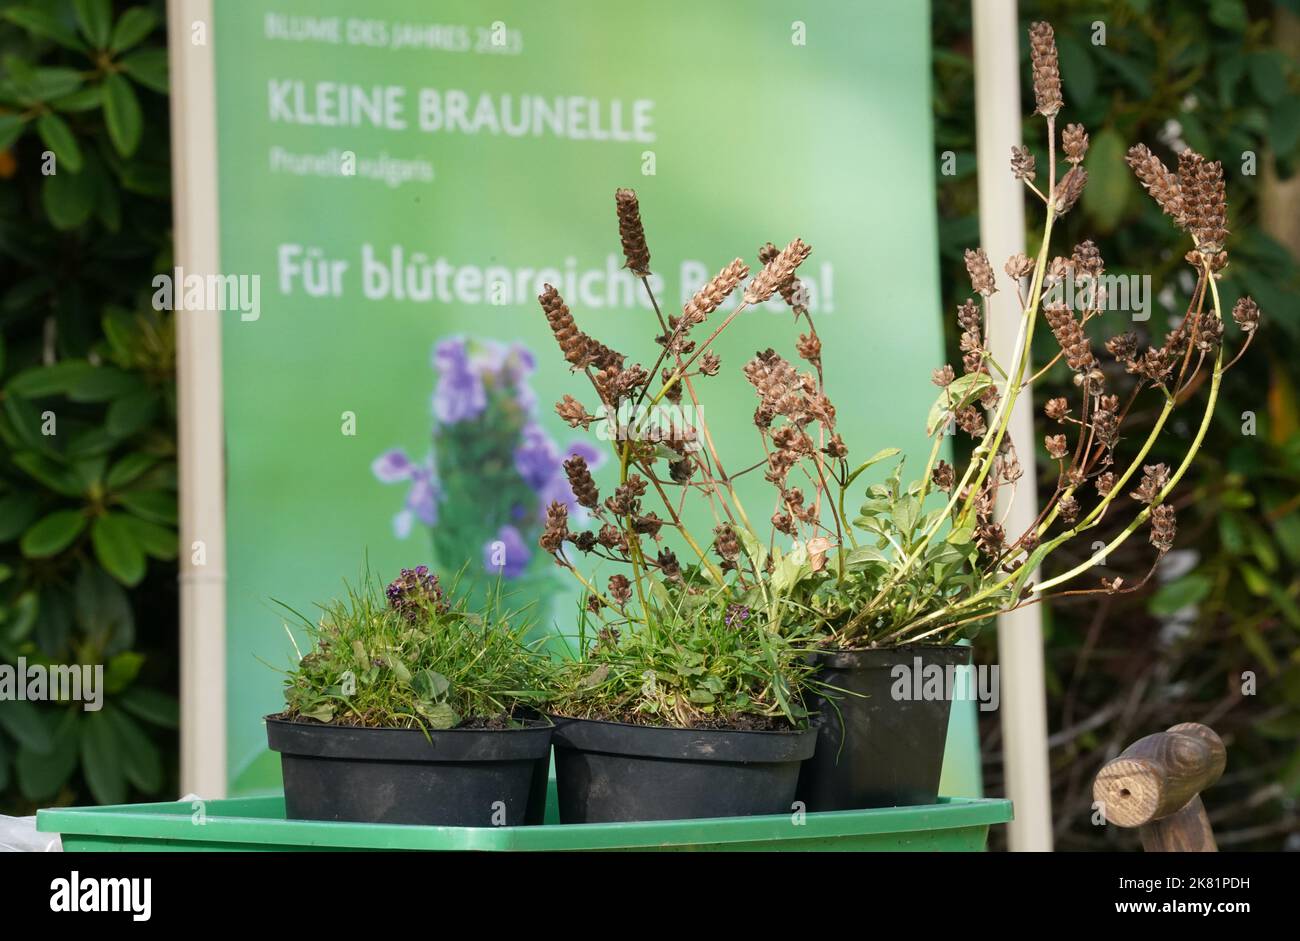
x,y
258,823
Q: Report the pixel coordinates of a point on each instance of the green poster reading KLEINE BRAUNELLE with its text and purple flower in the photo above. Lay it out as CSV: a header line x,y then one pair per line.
x,y
405,176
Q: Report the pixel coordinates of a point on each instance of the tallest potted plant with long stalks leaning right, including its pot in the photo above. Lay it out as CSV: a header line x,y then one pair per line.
x,y
924,566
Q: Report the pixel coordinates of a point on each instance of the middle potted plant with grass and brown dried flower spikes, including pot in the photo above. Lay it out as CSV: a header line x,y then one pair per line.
x,y
686,699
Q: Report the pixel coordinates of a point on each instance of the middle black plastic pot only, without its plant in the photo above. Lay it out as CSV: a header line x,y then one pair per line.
x,y
614,773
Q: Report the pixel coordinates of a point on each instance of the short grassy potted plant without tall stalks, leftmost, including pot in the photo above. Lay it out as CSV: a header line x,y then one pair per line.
x,y
411,709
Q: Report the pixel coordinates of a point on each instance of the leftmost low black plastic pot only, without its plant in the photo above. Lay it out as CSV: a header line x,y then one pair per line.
x,y
453,778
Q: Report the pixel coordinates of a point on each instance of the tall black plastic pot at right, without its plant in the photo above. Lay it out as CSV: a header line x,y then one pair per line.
x,y
881,739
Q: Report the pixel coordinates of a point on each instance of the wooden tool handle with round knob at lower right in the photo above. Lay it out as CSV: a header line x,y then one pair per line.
x,y
1156,784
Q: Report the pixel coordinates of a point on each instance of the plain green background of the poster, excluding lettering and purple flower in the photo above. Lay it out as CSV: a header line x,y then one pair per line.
x,y
756,137
